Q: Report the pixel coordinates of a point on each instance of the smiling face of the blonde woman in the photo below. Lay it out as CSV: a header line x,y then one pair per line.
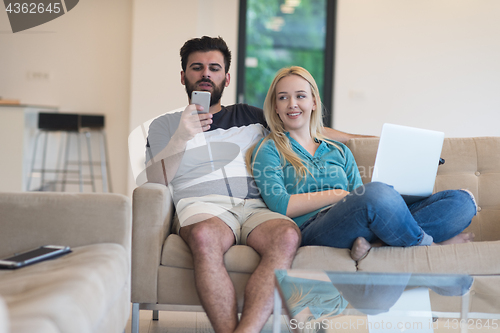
x,y
294,103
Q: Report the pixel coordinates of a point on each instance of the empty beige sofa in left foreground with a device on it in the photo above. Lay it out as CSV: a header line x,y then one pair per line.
x,y
87,290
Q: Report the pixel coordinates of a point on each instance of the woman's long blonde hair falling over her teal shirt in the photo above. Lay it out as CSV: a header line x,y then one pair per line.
x,y
277,128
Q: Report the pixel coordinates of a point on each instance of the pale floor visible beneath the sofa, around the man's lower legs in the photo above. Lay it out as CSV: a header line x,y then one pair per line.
x,y
185,322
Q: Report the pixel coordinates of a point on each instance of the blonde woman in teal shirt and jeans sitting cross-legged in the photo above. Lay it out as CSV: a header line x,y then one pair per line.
x,y
316,182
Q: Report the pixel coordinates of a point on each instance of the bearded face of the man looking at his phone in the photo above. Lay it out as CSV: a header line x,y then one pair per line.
x,y
205,72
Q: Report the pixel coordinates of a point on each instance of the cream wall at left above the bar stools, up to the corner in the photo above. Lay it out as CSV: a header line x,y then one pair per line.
x,y
86,53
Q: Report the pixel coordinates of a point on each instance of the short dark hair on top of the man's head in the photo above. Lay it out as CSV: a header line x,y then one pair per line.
x,y
205,44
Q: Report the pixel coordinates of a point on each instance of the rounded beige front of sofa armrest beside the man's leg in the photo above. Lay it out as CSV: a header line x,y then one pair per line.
x,y
152,221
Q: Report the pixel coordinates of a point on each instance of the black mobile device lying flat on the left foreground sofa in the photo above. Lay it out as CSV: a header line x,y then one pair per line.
x,y
33,256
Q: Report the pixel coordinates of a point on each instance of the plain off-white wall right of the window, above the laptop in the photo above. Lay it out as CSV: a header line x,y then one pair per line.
x,y
429,63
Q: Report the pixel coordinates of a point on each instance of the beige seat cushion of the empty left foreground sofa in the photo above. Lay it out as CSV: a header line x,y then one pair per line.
x,y
73,293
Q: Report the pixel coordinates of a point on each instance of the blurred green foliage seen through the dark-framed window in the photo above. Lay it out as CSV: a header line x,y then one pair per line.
x,y
281,34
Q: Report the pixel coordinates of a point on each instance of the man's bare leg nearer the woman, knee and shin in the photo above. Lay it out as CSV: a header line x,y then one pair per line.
x,y
276,241
